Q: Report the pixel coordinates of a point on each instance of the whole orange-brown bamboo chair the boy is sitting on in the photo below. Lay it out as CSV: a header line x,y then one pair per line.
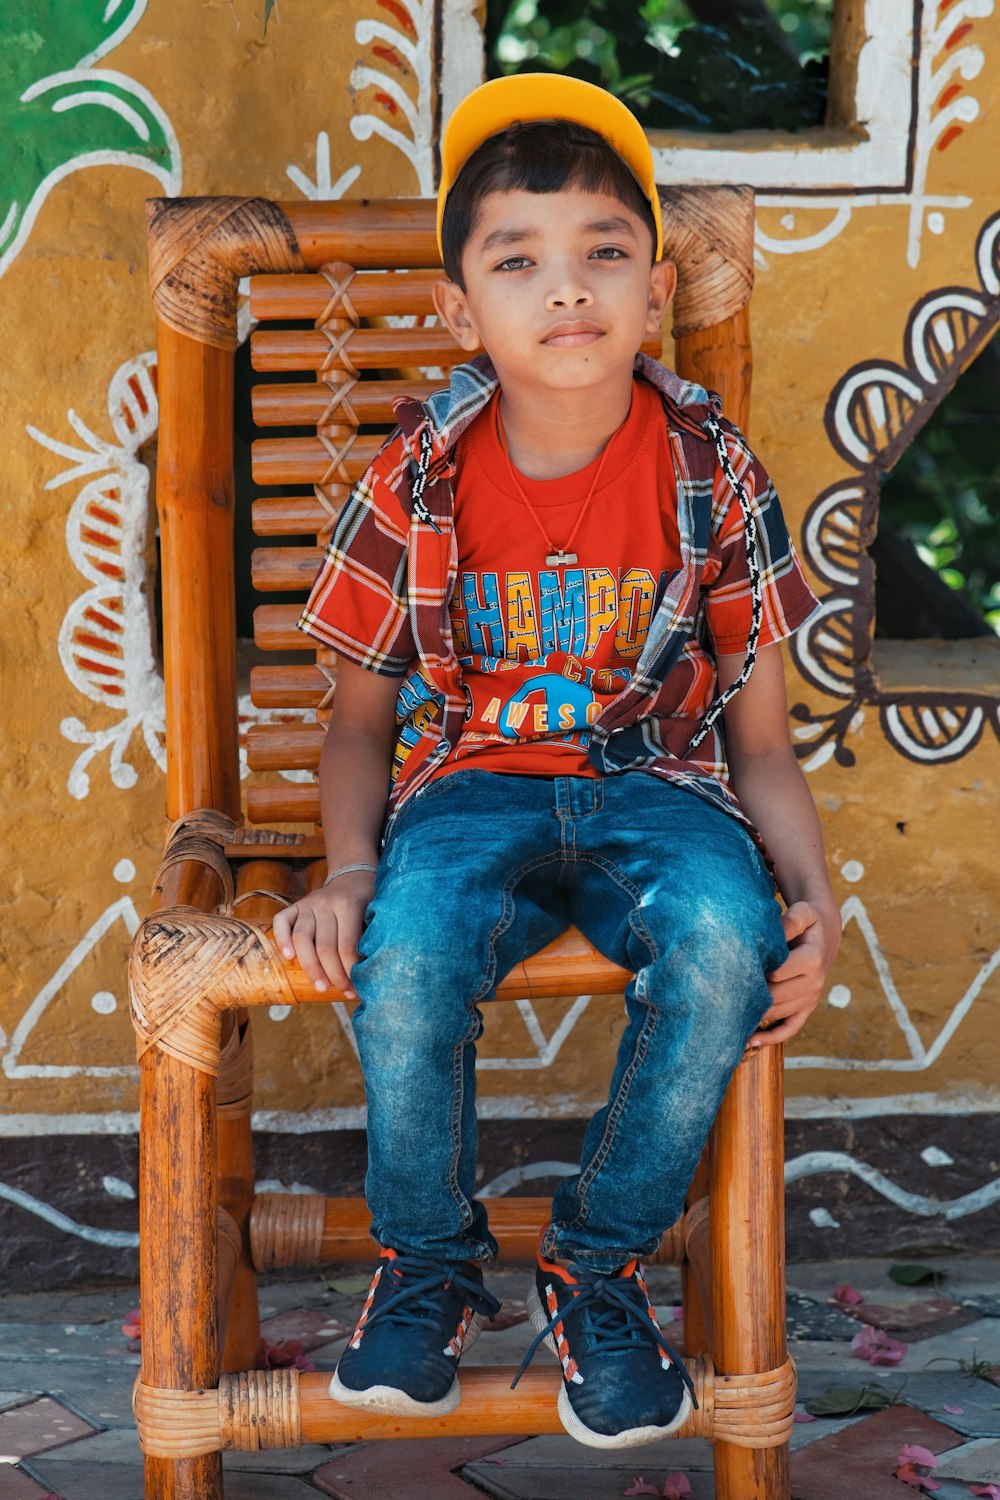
x,y
205,956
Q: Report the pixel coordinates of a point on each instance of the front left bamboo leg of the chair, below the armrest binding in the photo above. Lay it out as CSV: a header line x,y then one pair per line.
x,y
178,1253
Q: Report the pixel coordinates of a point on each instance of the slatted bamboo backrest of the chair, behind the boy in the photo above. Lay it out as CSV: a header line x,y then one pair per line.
x,y
356,278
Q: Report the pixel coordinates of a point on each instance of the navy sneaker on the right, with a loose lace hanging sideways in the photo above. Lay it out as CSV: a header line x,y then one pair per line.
x,y
623,1385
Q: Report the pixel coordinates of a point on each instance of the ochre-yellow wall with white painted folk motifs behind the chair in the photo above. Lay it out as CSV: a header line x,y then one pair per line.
x,y
908,1022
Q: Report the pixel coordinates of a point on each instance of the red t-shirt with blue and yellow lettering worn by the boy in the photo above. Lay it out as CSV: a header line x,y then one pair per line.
x,y
545,649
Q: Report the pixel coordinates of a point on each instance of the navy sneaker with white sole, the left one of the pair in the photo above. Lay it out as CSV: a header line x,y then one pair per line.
x,y
419,1319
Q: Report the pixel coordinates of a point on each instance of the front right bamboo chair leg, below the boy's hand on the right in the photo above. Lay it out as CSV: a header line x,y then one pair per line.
x,y
747,1253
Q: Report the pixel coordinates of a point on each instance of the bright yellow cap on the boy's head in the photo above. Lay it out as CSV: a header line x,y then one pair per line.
x,y
525,98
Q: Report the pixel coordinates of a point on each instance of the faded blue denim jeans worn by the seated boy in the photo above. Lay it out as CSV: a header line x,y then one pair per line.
x,y
482,871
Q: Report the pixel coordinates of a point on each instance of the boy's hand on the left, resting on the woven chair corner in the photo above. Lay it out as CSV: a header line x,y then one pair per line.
x,y
325,929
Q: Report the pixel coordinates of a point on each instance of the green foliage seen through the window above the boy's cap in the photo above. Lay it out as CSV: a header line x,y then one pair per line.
x,y
672,70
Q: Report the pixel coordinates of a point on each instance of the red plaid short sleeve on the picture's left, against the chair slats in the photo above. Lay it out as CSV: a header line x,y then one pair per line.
x,y
359,604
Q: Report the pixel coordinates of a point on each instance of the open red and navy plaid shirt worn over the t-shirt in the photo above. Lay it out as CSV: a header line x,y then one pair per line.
x,y
395,538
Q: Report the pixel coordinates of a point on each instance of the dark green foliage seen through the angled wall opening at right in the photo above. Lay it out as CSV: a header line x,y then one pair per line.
x,y
945,490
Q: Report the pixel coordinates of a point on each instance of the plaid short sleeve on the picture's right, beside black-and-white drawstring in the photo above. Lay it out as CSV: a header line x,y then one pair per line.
x,y
788,599
